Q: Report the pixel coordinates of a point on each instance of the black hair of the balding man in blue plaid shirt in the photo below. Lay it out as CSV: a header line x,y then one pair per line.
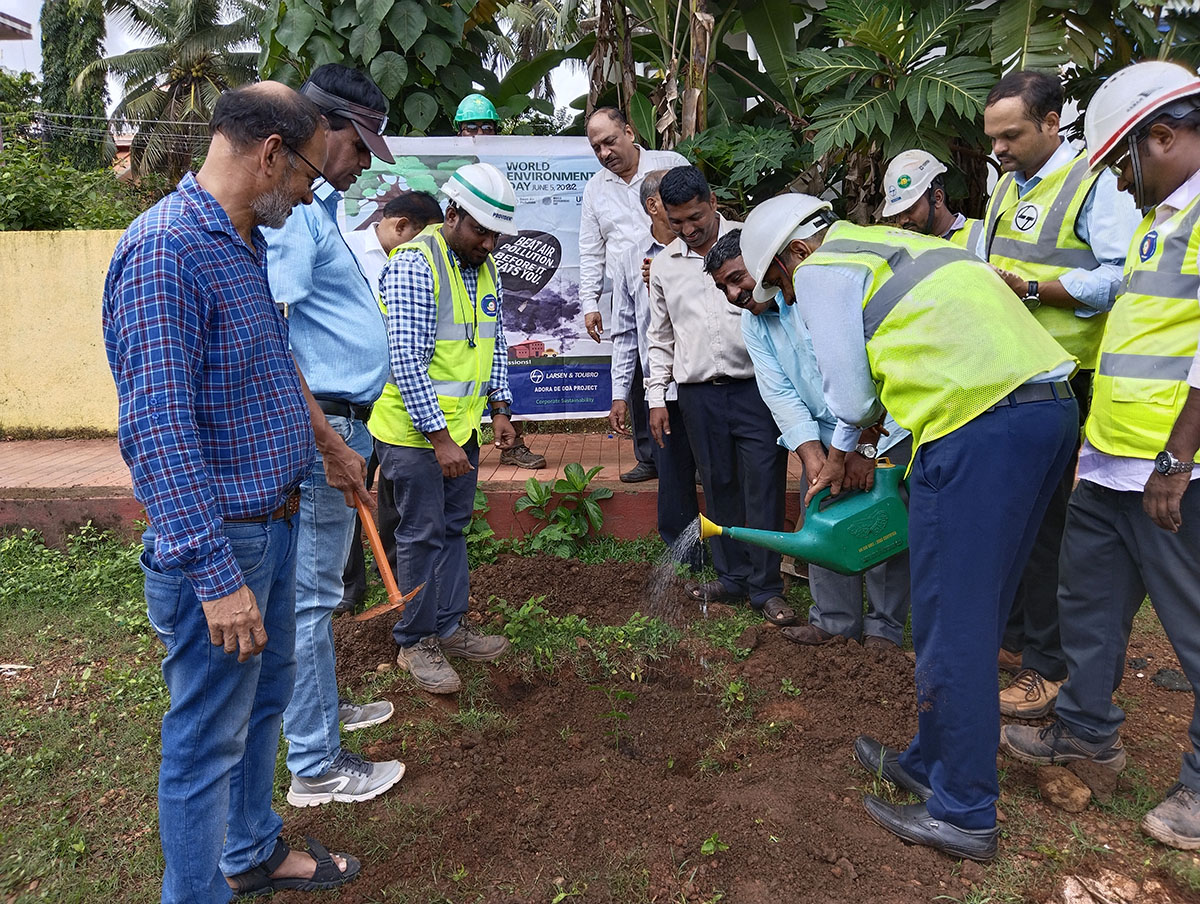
x,y
251,115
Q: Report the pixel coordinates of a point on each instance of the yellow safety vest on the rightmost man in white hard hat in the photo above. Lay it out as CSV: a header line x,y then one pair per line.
x,y
1150,340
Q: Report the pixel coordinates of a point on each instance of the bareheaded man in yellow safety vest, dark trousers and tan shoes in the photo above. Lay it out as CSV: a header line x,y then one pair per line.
x,y
1058,234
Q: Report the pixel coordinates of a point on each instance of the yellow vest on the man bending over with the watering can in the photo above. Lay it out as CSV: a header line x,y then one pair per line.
x,y
946,340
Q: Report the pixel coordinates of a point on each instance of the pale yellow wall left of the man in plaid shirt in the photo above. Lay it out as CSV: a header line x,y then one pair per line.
x,y
53,373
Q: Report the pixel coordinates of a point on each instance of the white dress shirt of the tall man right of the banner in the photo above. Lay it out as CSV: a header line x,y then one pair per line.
x,y
613,221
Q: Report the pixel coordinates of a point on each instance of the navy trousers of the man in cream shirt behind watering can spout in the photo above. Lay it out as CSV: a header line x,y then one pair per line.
x,y
745,474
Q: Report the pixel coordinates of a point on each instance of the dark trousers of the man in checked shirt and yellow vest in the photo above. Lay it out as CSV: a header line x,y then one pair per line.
x,y
430,544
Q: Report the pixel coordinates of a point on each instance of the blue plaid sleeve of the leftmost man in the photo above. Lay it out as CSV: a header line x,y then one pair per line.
x,y
157,330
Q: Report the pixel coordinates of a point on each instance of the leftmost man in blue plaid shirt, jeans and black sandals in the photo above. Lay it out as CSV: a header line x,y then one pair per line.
x,y
218,438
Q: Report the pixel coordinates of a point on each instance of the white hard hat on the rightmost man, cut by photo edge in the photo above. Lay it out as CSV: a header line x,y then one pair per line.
x,y
1127,99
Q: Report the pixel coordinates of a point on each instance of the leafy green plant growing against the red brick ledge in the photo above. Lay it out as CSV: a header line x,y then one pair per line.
x,y
567,507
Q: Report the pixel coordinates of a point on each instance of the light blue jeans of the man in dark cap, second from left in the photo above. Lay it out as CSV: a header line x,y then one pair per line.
x,y
326,528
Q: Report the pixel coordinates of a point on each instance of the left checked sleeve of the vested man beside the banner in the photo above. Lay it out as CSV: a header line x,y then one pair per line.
x,y
407,290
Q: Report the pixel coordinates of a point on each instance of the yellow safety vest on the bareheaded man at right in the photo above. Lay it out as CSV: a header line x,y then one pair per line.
x,y
1035,237
